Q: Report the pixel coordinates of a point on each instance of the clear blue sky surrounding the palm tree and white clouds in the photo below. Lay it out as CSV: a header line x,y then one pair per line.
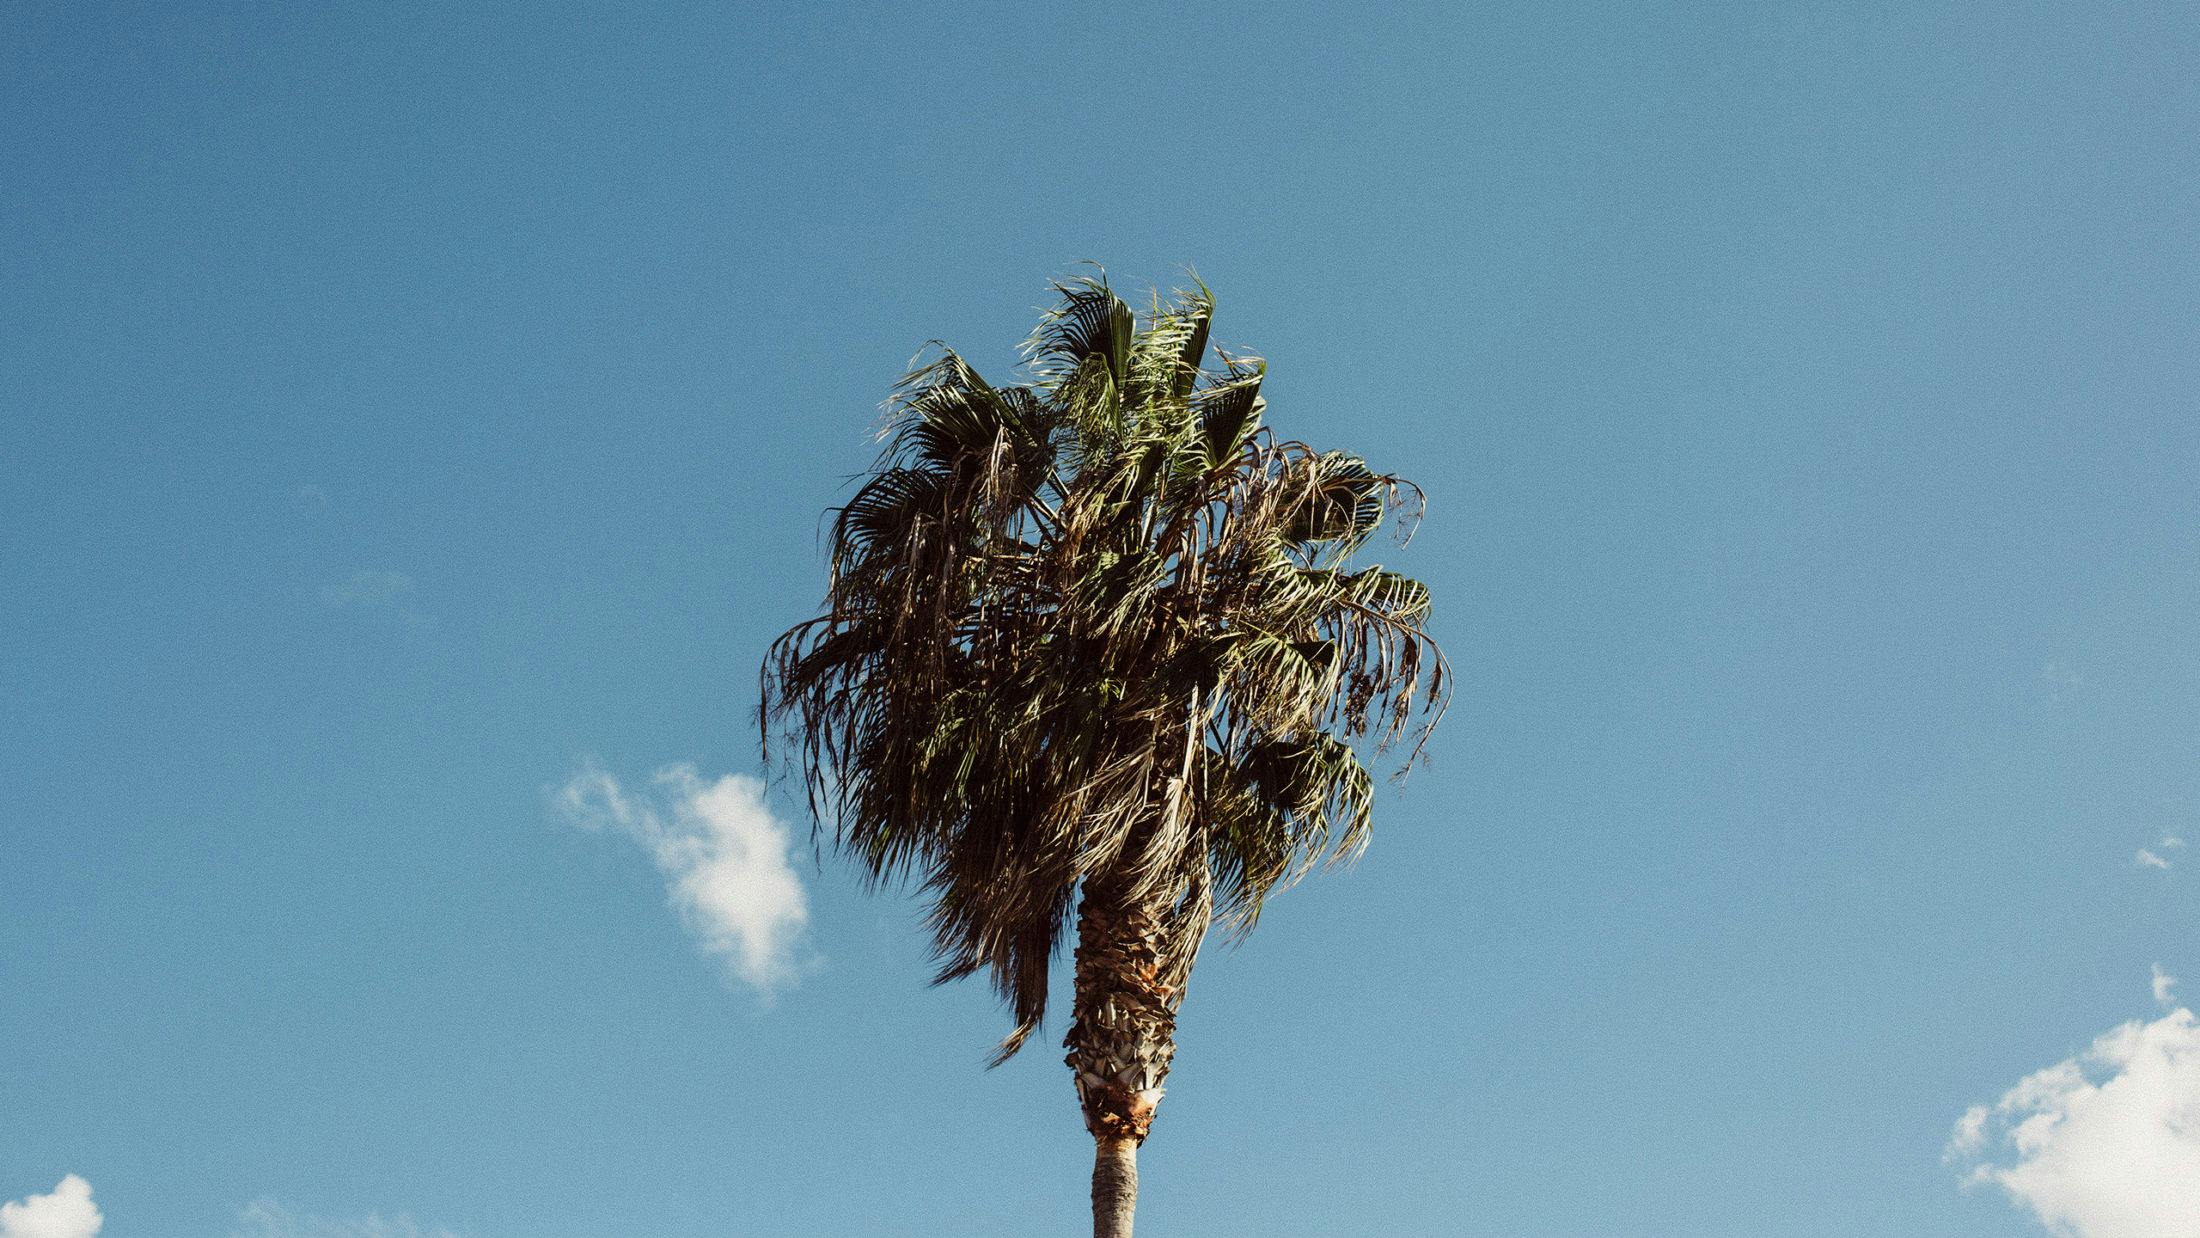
x,y
1805,399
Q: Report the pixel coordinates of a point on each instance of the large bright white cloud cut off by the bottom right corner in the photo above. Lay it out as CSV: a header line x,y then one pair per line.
x,y
2104,1145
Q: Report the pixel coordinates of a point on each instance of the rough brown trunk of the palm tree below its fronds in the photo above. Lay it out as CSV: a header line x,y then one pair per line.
x,y
1121,1041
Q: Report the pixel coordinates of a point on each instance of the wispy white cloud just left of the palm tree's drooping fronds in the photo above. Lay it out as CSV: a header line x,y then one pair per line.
x,y
725,861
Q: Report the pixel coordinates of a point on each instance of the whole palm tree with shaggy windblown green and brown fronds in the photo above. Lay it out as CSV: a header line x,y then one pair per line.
x,y
1094,643
